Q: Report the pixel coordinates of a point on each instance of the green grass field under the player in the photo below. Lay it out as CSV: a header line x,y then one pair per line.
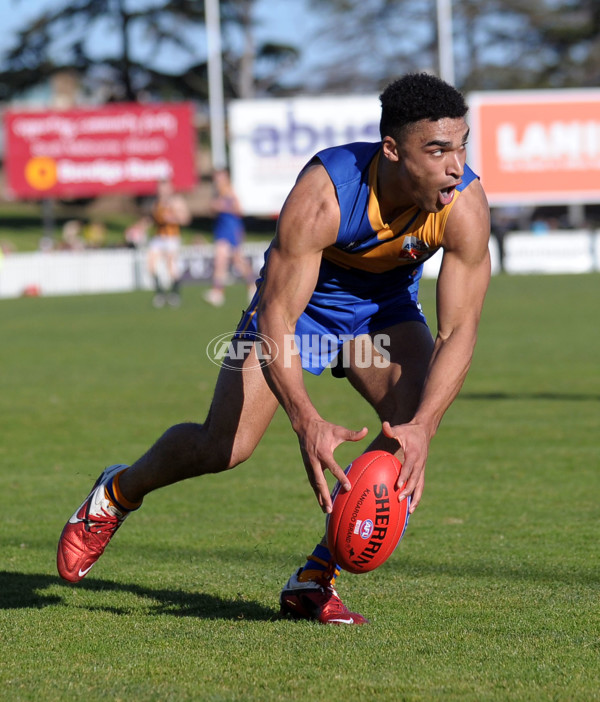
x,y
494,594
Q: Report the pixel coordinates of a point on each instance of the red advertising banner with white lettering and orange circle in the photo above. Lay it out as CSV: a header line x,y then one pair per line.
x,y
118,148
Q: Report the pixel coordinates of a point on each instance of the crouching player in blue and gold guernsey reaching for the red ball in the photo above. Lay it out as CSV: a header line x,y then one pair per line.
x,y
344,265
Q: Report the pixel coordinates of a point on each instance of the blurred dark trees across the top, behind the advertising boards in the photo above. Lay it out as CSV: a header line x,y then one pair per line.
x,y
361,46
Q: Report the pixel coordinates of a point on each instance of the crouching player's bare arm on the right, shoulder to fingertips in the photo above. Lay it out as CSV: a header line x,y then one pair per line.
x,y
461,289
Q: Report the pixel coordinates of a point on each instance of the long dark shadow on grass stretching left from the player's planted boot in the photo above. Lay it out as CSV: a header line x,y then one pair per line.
x,y
27,591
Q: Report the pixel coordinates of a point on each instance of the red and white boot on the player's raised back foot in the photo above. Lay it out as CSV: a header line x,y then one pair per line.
x,y
89,530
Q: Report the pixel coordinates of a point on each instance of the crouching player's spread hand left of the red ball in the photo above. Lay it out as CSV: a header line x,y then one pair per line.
x,y
318,441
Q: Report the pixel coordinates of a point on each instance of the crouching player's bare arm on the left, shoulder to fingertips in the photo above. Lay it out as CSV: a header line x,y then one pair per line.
x,y
308,224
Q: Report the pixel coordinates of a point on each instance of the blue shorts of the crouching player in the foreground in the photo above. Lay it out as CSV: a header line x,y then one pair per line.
x,y
344,305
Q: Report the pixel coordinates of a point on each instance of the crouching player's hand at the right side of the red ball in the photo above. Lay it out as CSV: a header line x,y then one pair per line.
x,y
414,442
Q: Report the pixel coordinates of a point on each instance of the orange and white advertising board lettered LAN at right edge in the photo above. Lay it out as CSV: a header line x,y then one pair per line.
x,y
537,147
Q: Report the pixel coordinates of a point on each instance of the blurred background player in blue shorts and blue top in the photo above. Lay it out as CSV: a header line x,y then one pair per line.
x,y
229,234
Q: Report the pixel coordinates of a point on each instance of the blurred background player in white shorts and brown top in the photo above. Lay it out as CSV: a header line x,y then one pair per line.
x,y
170,213
